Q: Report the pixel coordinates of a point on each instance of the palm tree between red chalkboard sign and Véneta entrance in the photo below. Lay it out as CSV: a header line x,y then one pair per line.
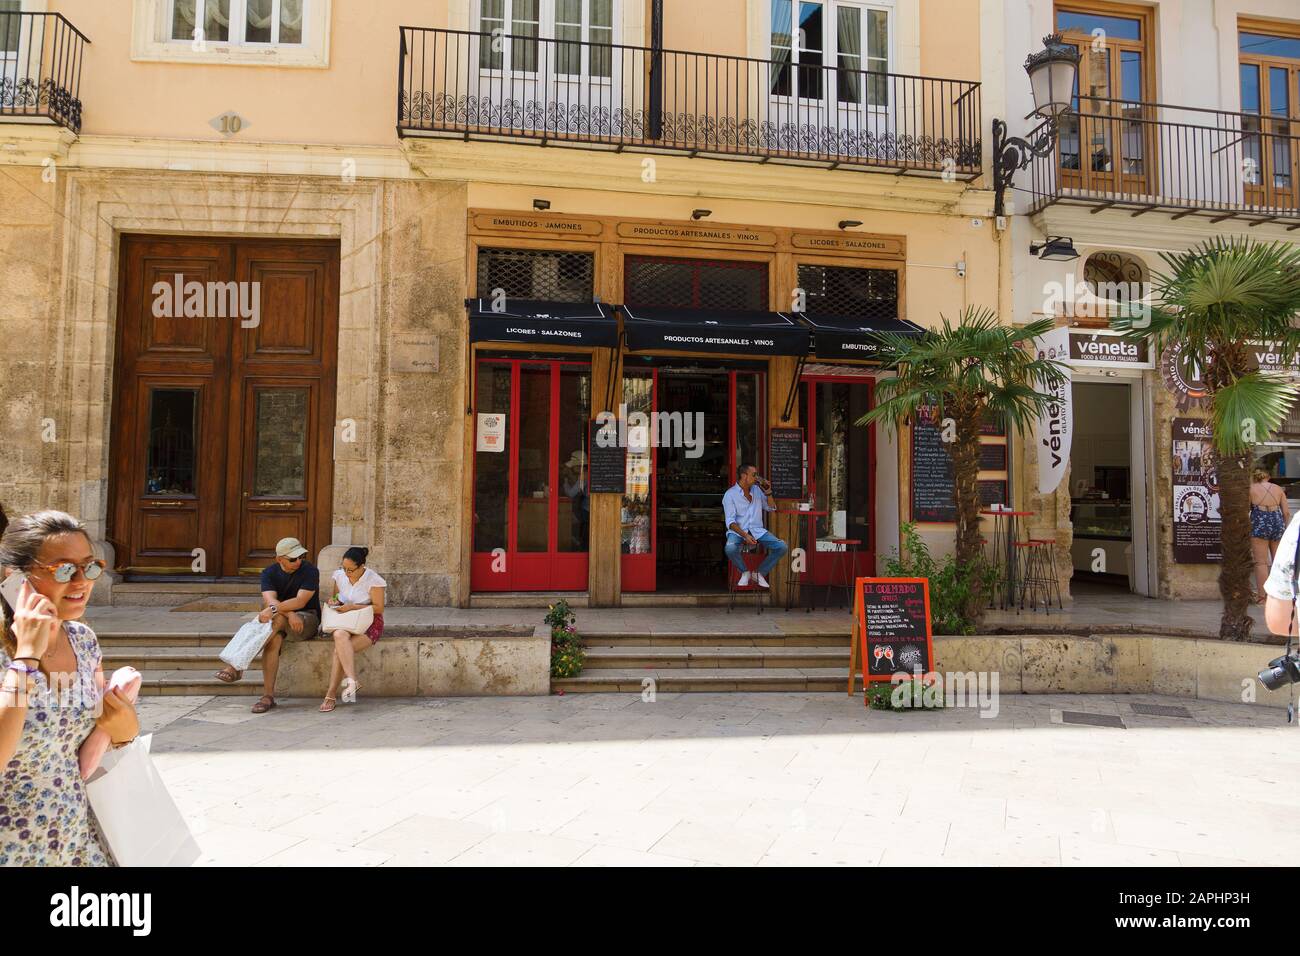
x,y
968,373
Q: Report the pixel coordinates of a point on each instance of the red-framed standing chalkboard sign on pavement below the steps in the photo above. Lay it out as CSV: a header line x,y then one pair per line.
x,y
894,620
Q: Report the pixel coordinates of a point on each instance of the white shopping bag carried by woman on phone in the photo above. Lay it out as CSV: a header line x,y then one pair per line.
x,y
141,823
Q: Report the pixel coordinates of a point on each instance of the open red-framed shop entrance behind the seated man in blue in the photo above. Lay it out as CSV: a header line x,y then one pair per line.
x,y
703,422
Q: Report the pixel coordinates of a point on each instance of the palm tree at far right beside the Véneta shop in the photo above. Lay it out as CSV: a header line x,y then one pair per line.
x,y
1216,302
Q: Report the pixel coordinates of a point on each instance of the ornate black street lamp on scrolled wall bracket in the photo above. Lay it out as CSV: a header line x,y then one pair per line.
x,y
1054,72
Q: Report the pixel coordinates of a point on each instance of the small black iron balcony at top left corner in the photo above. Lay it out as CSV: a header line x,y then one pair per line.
x,y
41,63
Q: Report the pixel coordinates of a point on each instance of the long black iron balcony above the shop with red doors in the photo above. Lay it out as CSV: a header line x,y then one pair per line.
x,y
613,97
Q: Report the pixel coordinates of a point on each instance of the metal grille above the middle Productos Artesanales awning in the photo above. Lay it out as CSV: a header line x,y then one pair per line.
x,y
658,283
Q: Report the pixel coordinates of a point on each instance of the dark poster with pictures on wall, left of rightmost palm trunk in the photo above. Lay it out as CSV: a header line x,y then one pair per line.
x,y
1198,538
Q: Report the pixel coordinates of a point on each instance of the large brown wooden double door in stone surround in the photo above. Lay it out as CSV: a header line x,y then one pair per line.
x,y
224,403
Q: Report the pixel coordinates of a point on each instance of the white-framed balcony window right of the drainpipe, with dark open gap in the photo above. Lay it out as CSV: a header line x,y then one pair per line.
x,y
824,49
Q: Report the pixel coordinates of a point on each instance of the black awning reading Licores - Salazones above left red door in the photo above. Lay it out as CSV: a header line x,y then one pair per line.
x,y
544,323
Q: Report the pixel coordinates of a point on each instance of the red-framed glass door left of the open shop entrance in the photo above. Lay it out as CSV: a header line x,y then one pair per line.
x,y
532,512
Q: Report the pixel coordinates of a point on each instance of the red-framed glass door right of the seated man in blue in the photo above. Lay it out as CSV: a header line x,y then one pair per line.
x,y
842,474
